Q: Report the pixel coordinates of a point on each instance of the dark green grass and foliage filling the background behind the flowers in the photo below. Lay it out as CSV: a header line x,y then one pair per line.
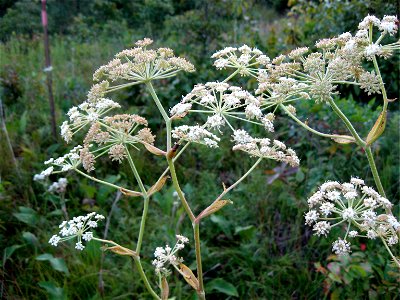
x,y
259,245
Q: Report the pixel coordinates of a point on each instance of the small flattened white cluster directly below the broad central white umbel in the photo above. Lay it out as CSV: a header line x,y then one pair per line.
x,y
196,134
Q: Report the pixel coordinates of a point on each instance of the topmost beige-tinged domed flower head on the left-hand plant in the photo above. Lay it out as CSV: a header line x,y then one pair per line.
x,y
140,64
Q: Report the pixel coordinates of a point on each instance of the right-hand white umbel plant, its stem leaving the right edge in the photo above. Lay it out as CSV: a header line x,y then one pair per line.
x,y
307,75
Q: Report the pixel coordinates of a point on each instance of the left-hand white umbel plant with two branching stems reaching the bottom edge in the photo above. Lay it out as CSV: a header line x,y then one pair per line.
x,y
119,137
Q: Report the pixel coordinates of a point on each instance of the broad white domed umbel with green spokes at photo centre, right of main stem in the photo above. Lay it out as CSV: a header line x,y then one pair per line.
x,y
225,103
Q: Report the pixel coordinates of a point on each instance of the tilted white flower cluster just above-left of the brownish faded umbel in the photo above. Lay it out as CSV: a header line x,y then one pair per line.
x,y
86,113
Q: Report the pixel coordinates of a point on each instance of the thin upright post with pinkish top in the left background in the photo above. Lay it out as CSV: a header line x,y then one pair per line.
x,y
48,70
